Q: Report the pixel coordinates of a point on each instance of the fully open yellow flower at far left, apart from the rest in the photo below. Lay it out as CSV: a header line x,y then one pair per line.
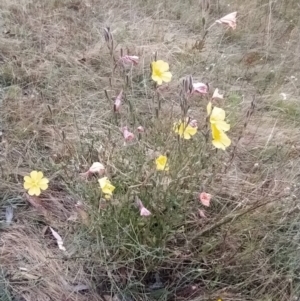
x,y
35,183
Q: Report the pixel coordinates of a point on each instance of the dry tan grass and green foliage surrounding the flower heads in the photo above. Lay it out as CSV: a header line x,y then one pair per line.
x,y
54,70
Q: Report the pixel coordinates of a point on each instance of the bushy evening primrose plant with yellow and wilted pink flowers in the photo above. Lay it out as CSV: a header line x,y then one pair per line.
x,y
154,173
